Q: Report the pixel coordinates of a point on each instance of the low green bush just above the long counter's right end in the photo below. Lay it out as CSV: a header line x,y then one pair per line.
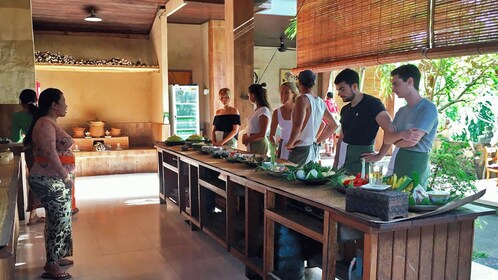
x,y
452,168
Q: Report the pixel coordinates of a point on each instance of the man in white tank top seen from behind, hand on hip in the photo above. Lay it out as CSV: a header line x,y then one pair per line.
x,y
307,116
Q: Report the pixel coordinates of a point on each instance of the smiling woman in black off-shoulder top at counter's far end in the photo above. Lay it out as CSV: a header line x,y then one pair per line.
x,y
226,123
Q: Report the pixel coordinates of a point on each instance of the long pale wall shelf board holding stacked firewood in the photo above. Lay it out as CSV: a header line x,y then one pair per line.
x,y
85,68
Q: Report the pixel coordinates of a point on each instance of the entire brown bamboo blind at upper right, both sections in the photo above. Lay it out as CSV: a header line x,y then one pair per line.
x,y
334,34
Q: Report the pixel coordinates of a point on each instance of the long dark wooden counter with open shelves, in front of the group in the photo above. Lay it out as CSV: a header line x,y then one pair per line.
x,y
240,208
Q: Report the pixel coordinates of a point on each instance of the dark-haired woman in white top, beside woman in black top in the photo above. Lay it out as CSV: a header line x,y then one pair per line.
x,y
256,139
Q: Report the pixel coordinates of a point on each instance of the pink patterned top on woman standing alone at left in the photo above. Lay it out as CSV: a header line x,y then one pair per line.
x,y
49,142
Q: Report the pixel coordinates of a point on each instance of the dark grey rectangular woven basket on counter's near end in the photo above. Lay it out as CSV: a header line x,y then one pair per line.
x,y
385,205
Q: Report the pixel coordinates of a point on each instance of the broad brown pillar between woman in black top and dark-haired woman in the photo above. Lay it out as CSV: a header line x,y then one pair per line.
x,y
239,30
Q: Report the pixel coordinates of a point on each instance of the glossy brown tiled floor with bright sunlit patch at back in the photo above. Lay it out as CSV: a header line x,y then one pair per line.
x,y
121,232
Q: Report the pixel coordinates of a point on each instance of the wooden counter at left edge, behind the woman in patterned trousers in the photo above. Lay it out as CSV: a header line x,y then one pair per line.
x,y
9,225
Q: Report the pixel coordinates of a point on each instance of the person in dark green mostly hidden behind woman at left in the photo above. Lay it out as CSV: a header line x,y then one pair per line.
x,y
21,122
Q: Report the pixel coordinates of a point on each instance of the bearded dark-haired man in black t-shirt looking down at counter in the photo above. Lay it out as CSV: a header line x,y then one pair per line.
x,y
360,121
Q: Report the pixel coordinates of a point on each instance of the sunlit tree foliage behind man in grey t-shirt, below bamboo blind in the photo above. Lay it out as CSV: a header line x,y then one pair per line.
x,y
464,89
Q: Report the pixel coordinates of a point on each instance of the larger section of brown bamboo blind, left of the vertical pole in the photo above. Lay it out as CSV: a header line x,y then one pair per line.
x,y
345,30
